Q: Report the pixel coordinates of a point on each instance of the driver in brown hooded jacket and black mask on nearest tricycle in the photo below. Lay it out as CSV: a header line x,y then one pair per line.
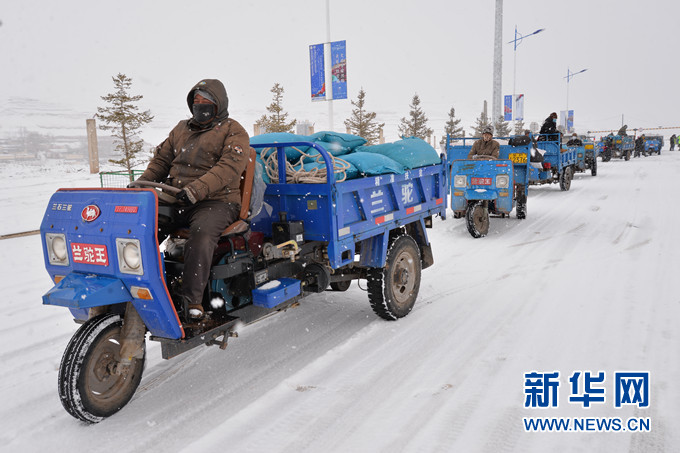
x,y
204,157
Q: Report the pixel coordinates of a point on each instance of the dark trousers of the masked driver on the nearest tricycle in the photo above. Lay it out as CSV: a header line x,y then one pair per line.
x,y
206,221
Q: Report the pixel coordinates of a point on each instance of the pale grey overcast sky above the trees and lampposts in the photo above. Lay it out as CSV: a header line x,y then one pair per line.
x,y
65,53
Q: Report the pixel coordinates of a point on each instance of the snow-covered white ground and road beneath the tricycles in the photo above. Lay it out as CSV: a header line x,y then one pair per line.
x,y
585,283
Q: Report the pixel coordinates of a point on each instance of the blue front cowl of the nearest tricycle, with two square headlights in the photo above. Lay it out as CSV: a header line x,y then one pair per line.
x,y
93,277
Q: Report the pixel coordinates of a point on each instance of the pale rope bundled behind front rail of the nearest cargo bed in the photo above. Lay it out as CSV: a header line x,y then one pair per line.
x,y
296,172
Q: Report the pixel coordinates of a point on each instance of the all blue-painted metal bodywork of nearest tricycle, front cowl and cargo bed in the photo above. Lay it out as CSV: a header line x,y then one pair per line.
x,y
339,214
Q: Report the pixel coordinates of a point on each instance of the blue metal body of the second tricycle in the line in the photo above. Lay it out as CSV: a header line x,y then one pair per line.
x,y
480,176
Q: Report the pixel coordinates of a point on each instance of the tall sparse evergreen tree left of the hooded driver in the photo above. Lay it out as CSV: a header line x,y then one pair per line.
x,y
124,120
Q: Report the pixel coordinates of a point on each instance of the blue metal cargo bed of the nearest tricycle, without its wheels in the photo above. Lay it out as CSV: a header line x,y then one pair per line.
x,y
357,210
